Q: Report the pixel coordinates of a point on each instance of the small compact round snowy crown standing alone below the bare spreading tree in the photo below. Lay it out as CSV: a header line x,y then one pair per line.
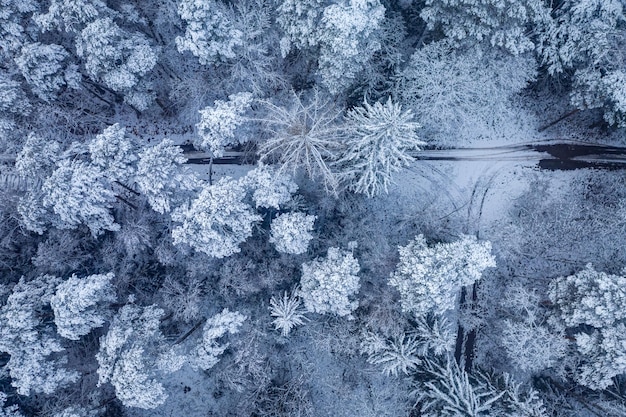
x,y
291,232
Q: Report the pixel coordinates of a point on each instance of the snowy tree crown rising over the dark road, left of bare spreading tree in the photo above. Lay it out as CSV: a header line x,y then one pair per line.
x,y
218,123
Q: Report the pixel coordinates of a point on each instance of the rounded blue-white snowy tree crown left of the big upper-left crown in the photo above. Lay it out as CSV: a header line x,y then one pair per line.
x,y
45,71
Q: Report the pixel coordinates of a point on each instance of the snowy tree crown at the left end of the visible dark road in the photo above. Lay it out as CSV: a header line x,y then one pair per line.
x,y
160,176
